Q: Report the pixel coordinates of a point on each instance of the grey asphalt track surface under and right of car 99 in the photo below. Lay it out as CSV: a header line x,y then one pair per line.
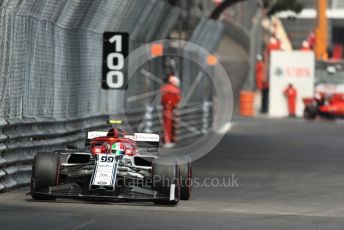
x,y
290,176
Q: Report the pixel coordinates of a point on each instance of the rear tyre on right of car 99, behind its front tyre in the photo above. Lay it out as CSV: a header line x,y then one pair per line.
x,y
185,179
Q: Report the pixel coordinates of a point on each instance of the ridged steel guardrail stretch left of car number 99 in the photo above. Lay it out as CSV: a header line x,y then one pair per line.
x,y
20,140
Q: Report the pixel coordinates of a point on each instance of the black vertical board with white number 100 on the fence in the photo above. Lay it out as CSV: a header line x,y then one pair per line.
x,y
115,52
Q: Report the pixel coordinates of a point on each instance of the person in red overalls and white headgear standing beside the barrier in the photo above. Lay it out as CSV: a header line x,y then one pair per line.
x,y
170,98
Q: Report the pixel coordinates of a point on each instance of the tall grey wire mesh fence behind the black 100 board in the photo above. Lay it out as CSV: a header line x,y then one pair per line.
x,y
51,52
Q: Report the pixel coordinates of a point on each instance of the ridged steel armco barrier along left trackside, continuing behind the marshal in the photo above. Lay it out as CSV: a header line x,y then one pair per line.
x,y
20,140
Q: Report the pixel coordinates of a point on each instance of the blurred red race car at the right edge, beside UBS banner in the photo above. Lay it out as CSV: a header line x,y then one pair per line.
x,y
324,105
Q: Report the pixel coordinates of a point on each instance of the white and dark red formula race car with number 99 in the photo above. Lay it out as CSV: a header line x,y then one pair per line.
x,y
117,167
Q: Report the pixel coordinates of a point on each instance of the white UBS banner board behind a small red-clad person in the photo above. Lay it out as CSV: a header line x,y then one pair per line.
x,y
297,68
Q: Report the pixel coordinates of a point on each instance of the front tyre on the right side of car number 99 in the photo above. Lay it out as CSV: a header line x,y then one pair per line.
x,y
164,177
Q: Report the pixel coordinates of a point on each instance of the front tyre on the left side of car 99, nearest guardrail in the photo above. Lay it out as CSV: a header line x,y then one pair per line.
x,y
45,172
